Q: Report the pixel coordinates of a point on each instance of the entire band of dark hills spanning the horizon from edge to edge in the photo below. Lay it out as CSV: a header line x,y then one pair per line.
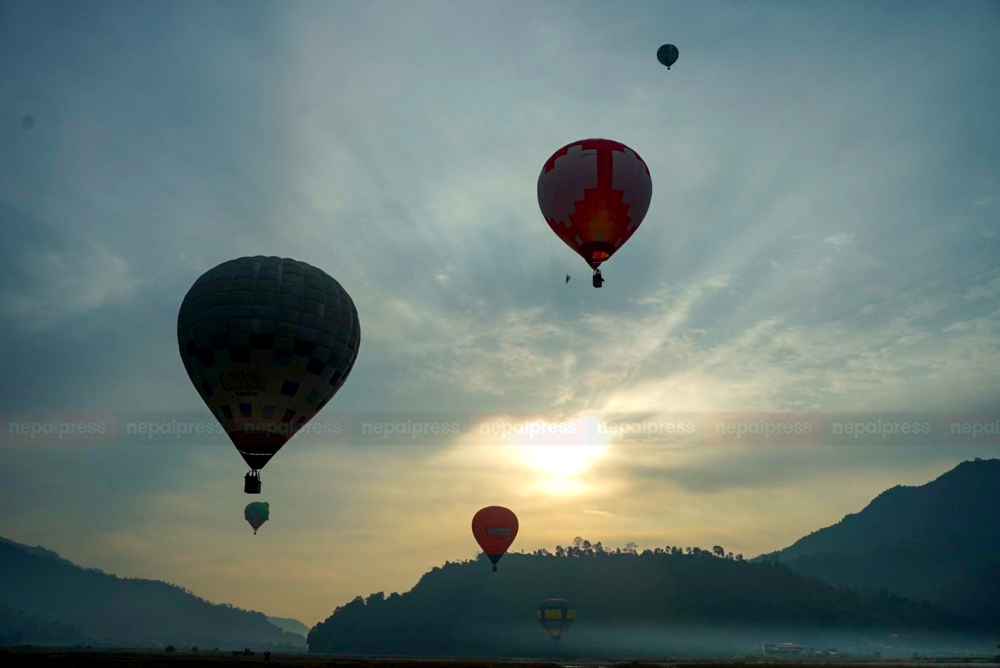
x,y
918,568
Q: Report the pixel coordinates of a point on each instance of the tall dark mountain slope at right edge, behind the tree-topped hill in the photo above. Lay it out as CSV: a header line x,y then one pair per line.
x,y
938,542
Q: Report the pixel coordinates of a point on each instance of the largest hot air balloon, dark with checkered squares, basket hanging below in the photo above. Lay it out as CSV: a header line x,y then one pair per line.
x,y
267,342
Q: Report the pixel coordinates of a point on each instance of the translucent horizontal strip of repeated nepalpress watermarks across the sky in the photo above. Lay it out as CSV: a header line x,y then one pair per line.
x,y
535,429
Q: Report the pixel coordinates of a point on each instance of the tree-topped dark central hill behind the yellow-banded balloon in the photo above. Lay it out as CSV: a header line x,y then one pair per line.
x,y
621,598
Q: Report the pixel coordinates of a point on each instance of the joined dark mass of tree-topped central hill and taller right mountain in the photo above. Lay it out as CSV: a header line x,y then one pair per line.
x,y
937,542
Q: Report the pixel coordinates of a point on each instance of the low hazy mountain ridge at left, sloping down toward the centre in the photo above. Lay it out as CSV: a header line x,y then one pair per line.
x,y
44,597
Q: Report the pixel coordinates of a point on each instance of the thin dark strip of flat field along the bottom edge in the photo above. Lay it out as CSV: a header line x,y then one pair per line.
x,y
187,659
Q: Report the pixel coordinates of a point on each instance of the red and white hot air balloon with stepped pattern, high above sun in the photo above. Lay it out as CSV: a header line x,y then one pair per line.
x,y
594,194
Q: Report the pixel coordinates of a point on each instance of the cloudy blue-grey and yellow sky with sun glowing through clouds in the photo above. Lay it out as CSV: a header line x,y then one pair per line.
x,y
822,241
